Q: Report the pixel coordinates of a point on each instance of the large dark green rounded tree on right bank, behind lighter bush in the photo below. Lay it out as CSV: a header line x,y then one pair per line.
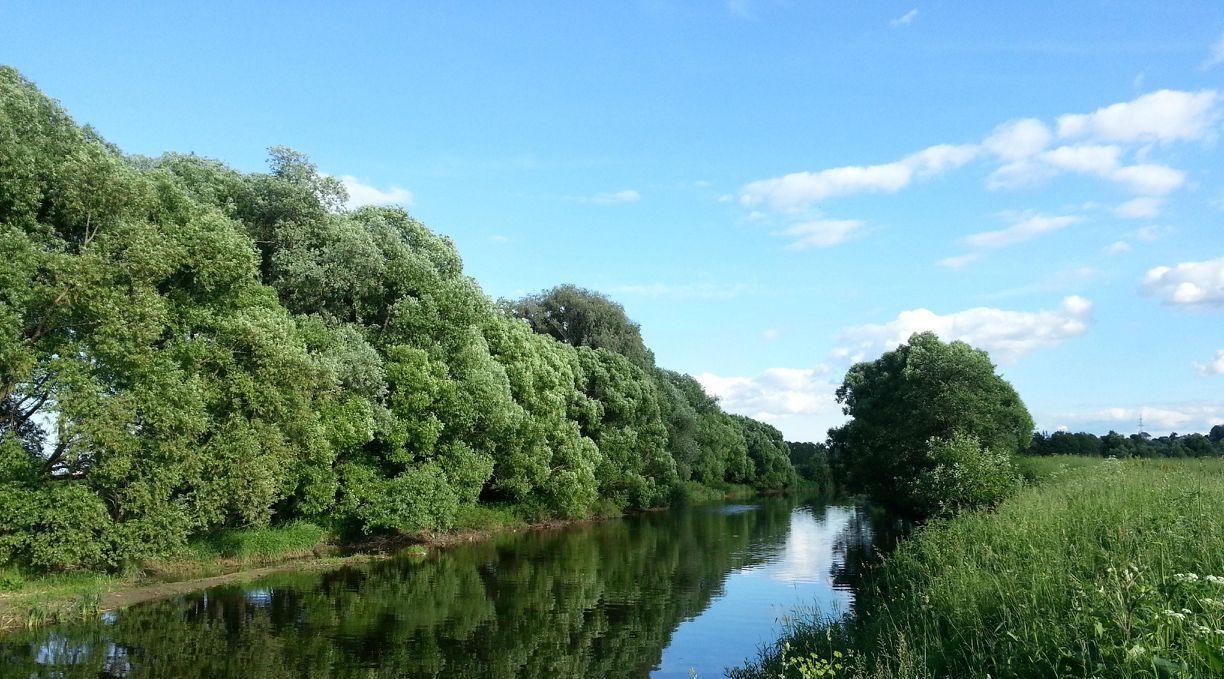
x,y
921,391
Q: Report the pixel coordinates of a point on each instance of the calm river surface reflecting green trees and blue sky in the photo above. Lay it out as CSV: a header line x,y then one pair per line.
x,y
696,589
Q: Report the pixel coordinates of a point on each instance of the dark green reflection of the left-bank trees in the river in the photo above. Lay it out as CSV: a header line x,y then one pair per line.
x,y
595,601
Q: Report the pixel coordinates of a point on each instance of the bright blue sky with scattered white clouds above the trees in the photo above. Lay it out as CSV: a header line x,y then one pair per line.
x,y
773,189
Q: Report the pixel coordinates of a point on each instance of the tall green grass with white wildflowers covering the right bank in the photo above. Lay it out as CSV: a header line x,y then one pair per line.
x,y
1099,570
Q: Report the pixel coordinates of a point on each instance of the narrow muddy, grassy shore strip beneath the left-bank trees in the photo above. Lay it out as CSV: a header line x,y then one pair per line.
x,y
241,556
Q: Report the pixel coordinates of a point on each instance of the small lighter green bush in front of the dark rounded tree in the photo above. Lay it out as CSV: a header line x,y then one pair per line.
x,y
963,475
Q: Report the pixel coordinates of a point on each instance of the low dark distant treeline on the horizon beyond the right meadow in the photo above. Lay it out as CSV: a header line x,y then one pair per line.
x,y
1135,446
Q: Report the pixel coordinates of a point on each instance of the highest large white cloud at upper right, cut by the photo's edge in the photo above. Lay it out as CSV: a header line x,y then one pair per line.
x,y
1165,116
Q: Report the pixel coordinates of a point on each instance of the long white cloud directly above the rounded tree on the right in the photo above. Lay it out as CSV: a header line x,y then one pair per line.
x,y
1006,335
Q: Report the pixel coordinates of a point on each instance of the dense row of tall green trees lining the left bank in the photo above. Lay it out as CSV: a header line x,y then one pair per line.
x,y
185,347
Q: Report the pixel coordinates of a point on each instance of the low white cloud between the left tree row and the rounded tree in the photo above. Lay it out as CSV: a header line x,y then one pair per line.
x,y
801,402
